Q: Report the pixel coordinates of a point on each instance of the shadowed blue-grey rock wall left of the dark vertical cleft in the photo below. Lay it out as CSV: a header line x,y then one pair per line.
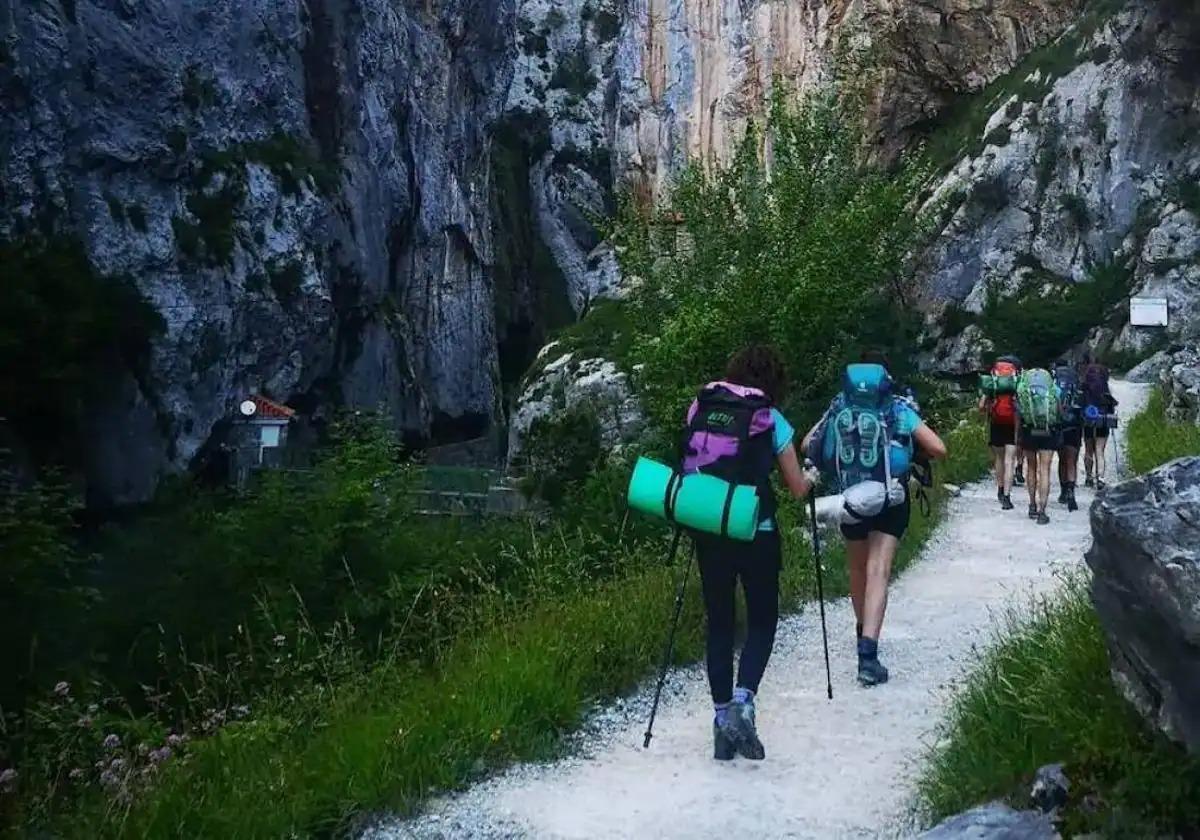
x,y
301,189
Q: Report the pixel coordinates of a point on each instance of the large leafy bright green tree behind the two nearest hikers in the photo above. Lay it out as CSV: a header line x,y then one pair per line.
x,y
811,260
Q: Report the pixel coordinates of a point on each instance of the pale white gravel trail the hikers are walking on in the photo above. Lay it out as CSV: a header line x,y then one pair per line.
x,y
835,770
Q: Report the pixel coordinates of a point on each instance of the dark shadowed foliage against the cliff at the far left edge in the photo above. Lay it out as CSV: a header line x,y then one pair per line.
x,y
65,333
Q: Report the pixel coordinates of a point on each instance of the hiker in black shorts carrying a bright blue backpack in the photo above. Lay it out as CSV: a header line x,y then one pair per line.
x,y
867,441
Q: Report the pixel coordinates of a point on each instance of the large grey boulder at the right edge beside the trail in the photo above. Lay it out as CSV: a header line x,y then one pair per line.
x,y
1147,589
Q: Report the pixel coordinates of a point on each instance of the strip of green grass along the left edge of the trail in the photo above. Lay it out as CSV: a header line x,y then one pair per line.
x,y
393,736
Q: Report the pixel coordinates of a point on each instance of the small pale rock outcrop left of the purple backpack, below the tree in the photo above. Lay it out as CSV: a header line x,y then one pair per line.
x,y
568,385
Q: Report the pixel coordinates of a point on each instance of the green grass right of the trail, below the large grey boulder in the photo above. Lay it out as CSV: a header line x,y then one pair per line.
x,y
1045,695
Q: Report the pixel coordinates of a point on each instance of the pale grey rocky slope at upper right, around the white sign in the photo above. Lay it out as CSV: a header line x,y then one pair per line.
x,y
1090,159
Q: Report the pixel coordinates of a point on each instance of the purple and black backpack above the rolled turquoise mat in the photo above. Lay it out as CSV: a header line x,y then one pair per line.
x,y
730,434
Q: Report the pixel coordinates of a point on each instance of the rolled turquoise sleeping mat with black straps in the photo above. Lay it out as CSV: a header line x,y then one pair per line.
x,y
694,501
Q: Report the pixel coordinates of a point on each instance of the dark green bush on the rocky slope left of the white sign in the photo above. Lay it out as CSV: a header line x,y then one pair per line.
x,y
1039,325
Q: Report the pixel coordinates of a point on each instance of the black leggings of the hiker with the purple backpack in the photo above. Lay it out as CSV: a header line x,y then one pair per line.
x,y
722,563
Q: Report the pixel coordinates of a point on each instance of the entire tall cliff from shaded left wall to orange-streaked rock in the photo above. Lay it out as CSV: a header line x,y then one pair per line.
x,y
380,205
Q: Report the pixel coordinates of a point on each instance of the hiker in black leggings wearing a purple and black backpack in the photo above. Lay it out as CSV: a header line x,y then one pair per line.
x,y
736,433
